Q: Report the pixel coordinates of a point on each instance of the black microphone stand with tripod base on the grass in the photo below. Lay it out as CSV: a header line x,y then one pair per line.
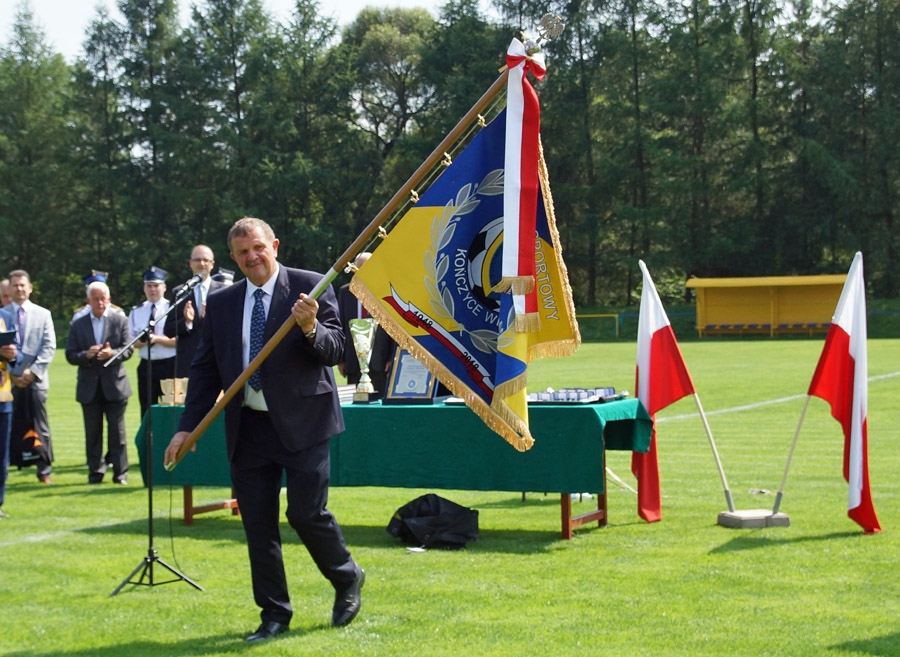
x,y
145,567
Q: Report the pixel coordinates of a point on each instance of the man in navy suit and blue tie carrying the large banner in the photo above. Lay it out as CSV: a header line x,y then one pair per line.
x,y
277,428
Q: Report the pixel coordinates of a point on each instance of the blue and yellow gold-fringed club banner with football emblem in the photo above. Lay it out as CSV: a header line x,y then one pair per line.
x,y
431,285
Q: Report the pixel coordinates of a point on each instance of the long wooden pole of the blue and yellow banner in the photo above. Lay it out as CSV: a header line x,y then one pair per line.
x,y
436,157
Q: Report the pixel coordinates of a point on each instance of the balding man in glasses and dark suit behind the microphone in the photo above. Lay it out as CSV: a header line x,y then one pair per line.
x,y
188,316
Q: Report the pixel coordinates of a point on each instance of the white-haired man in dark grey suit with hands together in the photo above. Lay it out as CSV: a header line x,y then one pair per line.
x,y
102,390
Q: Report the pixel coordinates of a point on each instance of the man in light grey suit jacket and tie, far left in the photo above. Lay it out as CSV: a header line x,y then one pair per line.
x,y
36,342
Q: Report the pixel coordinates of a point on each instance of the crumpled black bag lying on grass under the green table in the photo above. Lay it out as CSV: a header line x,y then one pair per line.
x,y
431,521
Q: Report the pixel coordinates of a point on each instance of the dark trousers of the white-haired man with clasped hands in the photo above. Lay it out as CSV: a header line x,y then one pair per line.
x,y
117,442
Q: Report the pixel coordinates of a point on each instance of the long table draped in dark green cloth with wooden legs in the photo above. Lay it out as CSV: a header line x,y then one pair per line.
x,y
444,446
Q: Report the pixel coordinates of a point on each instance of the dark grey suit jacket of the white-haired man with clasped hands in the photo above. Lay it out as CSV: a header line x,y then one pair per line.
x,y
91,372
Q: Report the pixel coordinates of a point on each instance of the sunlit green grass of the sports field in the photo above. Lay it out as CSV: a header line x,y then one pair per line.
x,y
683,586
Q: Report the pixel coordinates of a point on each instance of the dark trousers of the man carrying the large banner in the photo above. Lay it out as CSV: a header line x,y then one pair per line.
x,y
259,467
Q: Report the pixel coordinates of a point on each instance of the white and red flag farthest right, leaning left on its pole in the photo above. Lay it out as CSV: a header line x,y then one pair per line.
x,y
841,379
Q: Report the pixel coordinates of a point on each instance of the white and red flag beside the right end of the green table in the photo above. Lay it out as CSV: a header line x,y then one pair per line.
x,y
661,379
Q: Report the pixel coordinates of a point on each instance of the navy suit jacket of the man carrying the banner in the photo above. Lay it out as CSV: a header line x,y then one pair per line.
x,y
297,377
